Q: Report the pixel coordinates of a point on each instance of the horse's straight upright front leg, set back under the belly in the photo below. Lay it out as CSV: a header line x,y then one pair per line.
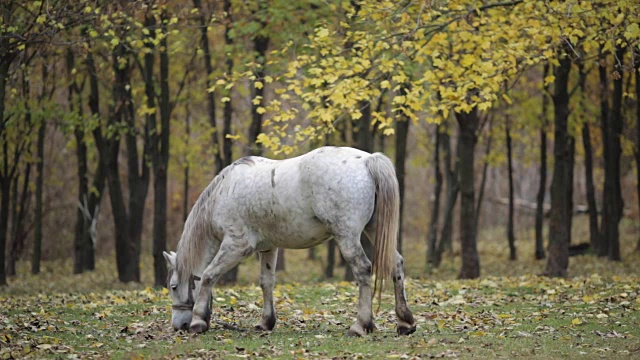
x,y
267,281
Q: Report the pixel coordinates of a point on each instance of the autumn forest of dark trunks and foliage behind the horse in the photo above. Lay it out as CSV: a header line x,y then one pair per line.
x,y
509,123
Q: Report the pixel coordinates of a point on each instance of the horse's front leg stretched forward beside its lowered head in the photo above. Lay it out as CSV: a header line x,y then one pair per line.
x,y
232,251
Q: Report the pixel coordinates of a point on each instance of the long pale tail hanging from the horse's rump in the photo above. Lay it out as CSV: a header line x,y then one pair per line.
x,y
387,218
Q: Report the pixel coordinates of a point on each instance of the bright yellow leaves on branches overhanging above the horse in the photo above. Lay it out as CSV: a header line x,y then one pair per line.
x,y
452,56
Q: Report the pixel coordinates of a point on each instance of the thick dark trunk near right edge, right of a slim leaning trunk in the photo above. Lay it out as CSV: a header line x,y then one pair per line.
x,y
612,207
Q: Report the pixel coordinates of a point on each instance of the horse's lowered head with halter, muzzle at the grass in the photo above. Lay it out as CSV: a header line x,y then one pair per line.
x,y
183,294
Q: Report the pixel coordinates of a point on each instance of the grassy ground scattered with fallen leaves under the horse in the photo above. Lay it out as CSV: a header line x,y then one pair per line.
x,y
508,313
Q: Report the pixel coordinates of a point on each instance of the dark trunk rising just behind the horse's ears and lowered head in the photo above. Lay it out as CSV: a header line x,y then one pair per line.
x,y
161,164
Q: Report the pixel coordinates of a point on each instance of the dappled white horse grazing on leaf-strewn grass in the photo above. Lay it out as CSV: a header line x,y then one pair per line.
x,y
259,205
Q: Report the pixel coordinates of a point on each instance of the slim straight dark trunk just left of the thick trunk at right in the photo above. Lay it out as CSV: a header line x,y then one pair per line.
x,y
542,186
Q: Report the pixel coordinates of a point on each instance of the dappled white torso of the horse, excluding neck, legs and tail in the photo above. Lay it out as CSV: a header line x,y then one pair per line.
x,y
302,201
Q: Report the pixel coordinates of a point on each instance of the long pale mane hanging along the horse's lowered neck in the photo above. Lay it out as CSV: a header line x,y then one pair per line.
x,y
197,230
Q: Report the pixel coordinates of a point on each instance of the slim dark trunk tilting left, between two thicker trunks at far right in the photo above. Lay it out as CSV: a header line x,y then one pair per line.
x,y
594,233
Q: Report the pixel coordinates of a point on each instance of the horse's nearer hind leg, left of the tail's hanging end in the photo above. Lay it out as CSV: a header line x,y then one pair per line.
x,y
352,251
